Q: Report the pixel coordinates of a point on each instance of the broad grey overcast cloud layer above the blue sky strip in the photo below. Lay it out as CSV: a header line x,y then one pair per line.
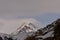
x,y
14,8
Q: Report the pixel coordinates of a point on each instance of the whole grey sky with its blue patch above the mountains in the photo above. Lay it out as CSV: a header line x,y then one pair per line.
x,y
44,11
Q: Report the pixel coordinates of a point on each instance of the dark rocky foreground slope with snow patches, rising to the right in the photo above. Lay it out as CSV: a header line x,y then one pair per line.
x,y
50,32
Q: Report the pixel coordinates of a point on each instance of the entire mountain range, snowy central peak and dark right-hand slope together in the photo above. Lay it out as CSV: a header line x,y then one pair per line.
x,y
30,29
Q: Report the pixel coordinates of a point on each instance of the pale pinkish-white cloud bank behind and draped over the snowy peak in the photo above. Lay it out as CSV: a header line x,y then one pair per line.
x,y
13,24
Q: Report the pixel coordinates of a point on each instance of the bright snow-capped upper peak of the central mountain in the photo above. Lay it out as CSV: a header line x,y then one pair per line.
x,y
28,25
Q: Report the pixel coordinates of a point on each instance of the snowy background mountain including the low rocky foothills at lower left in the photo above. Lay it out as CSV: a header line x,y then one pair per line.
x,y
26,27
